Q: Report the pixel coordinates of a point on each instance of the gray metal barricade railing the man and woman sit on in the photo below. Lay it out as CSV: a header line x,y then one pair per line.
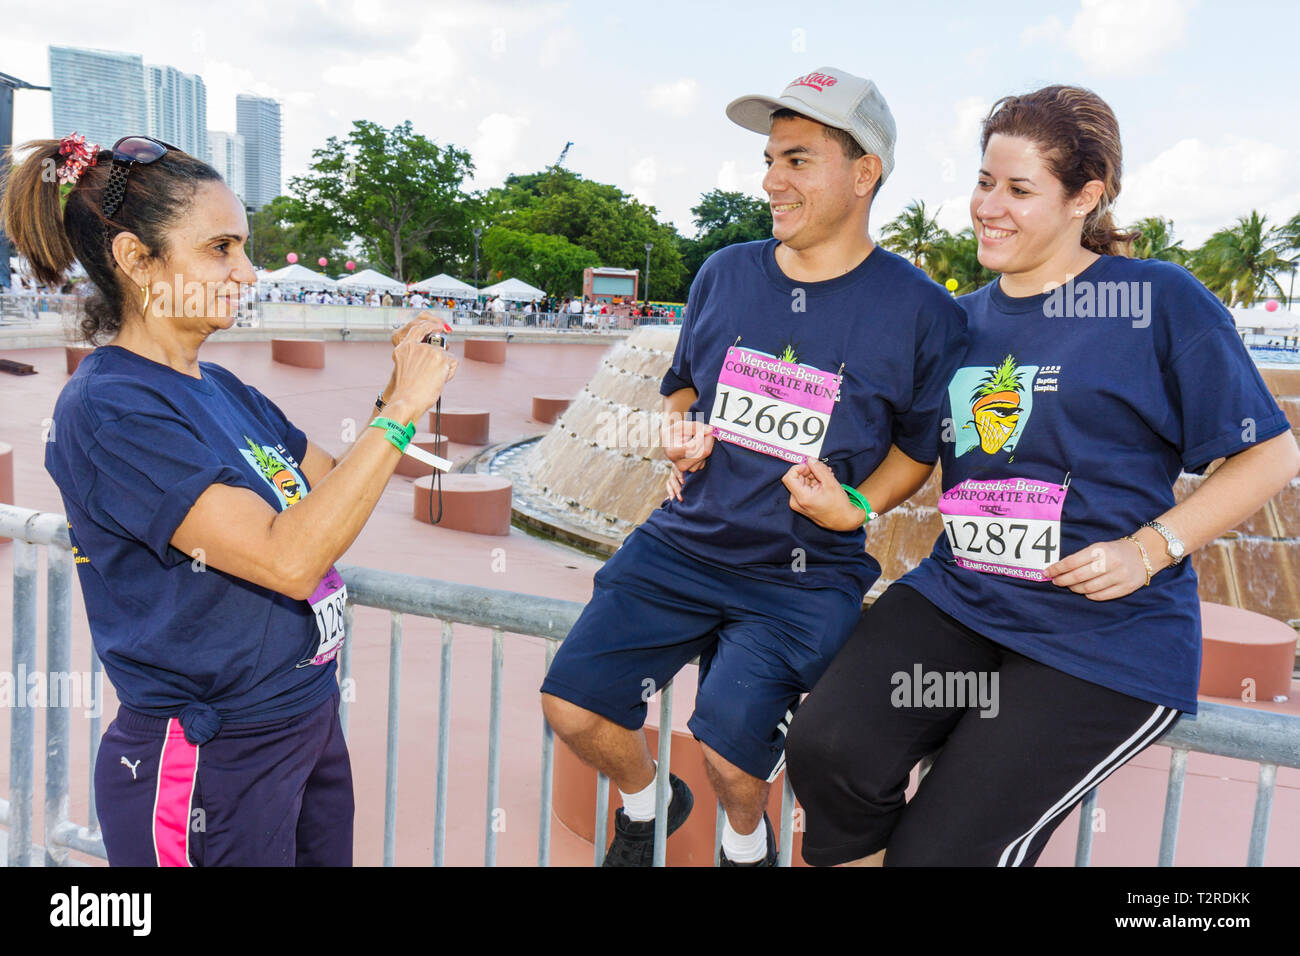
x,y
1268,739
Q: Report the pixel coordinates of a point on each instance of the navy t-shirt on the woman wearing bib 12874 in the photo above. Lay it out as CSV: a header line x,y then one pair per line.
x,y
1121,379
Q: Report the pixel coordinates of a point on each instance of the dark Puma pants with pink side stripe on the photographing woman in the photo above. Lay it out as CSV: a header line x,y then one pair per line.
x,y
271,794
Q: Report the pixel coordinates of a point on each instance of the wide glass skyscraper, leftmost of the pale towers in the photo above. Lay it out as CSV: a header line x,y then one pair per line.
x,y
98,94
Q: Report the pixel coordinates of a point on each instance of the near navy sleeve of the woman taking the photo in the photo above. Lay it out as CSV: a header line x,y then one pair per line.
x,y
150,469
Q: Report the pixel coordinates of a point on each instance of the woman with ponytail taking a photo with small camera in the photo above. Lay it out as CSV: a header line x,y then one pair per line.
x,y
207,525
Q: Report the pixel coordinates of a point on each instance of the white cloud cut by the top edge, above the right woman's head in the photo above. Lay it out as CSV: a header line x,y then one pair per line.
x,y
1116,36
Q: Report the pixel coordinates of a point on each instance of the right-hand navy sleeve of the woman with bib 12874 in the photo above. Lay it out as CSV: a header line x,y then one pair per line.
x,y
1219,399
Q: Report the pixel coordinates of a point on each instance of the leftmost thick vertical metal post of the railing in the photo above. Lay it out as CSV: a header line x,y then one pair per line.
x,y
23,728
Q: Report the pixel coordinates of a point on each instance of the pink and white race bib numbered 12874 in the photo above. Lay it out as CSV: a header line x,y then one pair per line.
x,y
1006,526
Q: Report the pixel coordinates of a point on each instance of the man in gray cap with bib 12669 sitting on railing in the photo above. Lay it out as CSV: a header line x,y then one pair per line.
x,y
816,358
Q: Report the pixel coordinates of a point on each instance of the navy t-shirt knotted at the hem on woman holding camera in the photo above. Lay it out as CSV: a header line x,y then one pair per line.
x,y
135,445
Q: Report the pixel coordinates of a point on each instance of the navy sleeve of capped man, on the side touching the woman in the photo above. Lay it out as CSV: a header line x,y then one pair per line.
x,y
941,349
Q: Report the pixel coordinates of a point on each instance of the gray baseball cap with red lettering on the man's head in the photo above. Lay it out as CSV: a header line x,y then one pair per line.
x,y
833,98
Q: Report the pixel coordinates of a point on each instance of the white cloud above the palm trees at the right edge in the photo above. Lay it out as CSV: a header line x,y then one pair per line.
x,y
1207,187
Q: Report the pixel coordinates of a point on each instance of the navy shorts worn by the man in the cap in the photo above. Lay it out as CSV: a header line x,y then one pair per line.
x,y
761,646
